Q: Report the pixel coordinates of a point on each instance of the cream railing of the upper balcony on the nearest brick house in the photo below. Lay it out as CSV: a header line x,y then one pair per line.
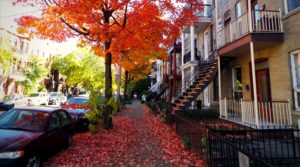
x,y
268,21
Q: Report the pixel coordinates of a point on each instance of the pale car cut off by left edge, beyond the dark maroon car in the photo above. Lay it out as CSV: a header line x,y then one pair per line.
x,y
12,101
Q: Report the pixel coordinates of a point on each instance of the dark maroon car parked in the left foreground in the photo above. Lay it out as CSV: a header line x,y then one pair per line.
x,y
29,134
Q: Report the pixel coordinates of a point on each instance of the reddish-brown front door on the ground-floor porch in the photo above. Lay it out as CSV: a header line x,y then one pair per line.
x,y
264,95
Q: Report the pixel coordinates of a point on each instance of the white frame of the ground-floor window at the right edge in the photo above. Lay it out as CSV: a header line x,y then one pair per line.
x,y
295,90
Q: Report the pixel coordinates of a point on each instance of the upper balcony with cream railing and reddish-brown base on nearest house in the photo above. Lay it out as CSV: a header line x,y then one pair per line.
x,y
267,30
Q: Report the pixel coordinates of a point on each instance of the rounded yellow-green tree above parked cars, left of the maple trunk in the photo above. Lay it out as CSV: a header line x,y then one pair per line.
x,y
81,68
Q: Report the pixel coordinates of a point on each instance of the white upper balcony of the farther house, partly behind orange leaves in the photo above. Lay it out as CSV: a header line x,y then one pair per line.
x,y
203,21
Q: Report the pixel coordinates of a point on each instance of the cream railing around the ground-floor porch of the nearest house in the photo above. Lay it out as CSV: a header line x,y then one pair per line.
x,y
269,113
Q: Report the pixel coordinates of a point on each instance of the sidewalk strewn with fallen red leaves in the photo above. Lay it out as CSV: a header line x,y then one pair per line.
x,y
137,139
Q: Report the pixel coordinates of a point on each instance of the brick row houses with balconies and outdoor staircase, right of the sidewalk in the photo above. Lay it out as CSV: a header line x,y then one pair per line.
x,y
242,56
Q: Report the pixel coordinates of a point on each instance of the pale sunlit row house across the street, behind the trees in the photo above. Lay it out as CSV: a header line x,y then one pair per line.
x,y
23,49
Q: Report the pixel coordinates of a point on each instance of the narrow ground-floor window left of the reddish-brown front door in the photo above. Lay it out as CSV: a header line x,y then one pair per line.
x,y
237,85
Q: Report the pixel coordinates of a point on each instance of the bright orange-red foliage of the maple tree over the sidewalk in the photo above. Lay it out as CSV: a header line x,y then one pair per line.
x,y
138,31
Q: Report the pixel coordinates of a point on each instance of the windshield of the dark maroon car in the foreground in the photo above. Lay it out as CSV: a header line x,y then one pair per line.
x,y
23,120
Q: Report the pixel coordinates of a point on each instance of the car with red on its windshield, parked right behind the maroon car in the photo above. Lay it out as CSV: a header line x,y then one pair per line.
x,y
77,108
